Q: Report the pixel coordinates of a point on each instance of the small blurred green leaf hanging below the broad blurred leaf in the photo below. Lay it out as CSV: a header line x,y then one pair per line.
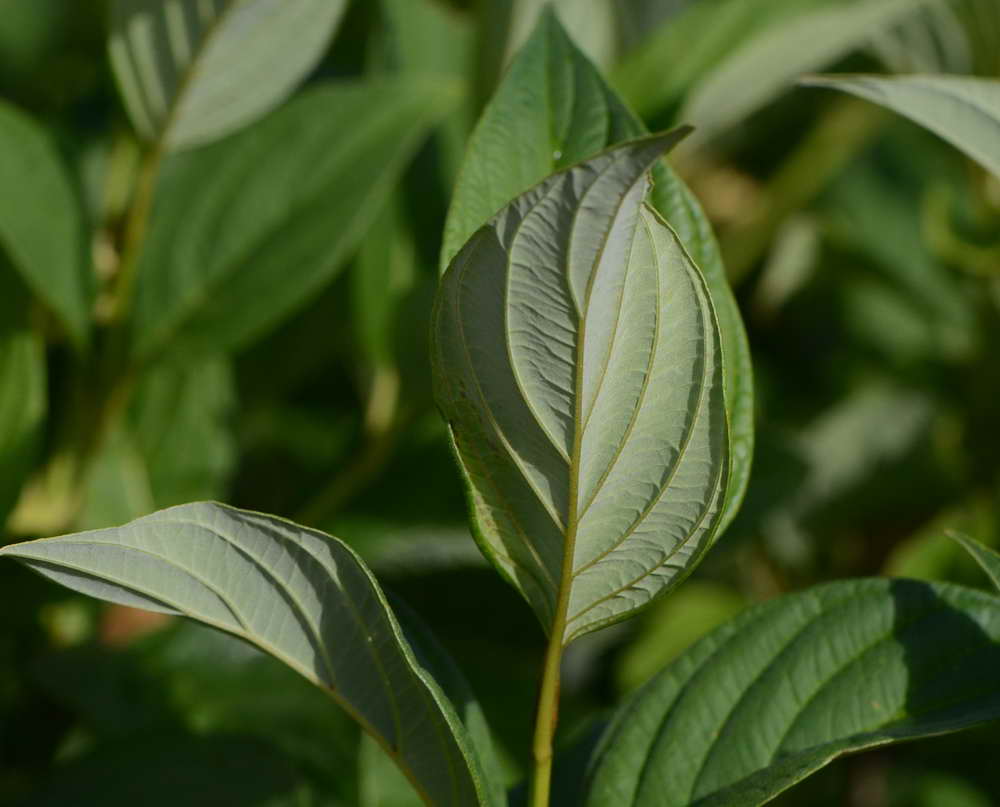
x,y
180,419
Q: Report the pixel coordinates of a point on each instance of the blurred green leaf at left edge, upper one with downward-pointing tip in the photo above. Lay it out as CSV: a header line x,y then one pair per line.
x,y
41,225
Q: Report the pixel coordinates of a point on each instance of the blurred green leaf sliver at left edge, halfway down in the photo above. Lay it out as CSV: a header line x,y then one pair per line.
x,y
22,389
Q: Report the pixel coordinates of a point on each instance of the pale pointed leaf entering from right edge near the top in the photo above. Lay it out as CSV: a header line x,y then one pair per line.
x,y
964,111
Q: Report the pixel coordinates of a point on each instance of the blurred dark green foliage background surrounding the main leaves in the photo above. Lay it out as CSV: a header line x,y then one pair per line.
x,y
865,255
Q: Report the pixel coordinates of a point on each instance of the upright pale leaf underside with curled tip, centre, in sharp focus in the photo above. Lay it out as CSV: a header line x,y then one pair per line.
x,y
578,363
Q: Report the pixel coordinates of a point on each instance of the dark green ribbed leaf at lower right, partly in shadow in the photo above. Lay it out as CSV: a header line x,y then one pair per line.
x,y
782,690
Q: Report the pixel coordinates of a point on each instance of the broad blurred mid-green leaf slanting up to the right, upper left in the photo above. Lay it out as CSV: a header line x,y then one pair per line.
x,y
245,230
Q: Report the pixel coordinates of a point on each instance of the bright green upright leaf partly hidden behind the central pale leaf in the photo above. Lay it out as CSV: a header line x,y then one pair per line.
x,y
552,110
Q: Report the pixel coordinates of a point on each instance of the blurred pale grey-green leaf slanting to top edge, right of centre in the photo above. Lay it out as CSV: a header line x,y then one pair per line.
x,y
780,54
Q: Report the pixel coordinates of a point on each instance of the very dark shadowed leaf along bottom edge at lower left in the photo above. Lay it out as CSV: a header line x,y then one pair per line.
x,y
167,770
